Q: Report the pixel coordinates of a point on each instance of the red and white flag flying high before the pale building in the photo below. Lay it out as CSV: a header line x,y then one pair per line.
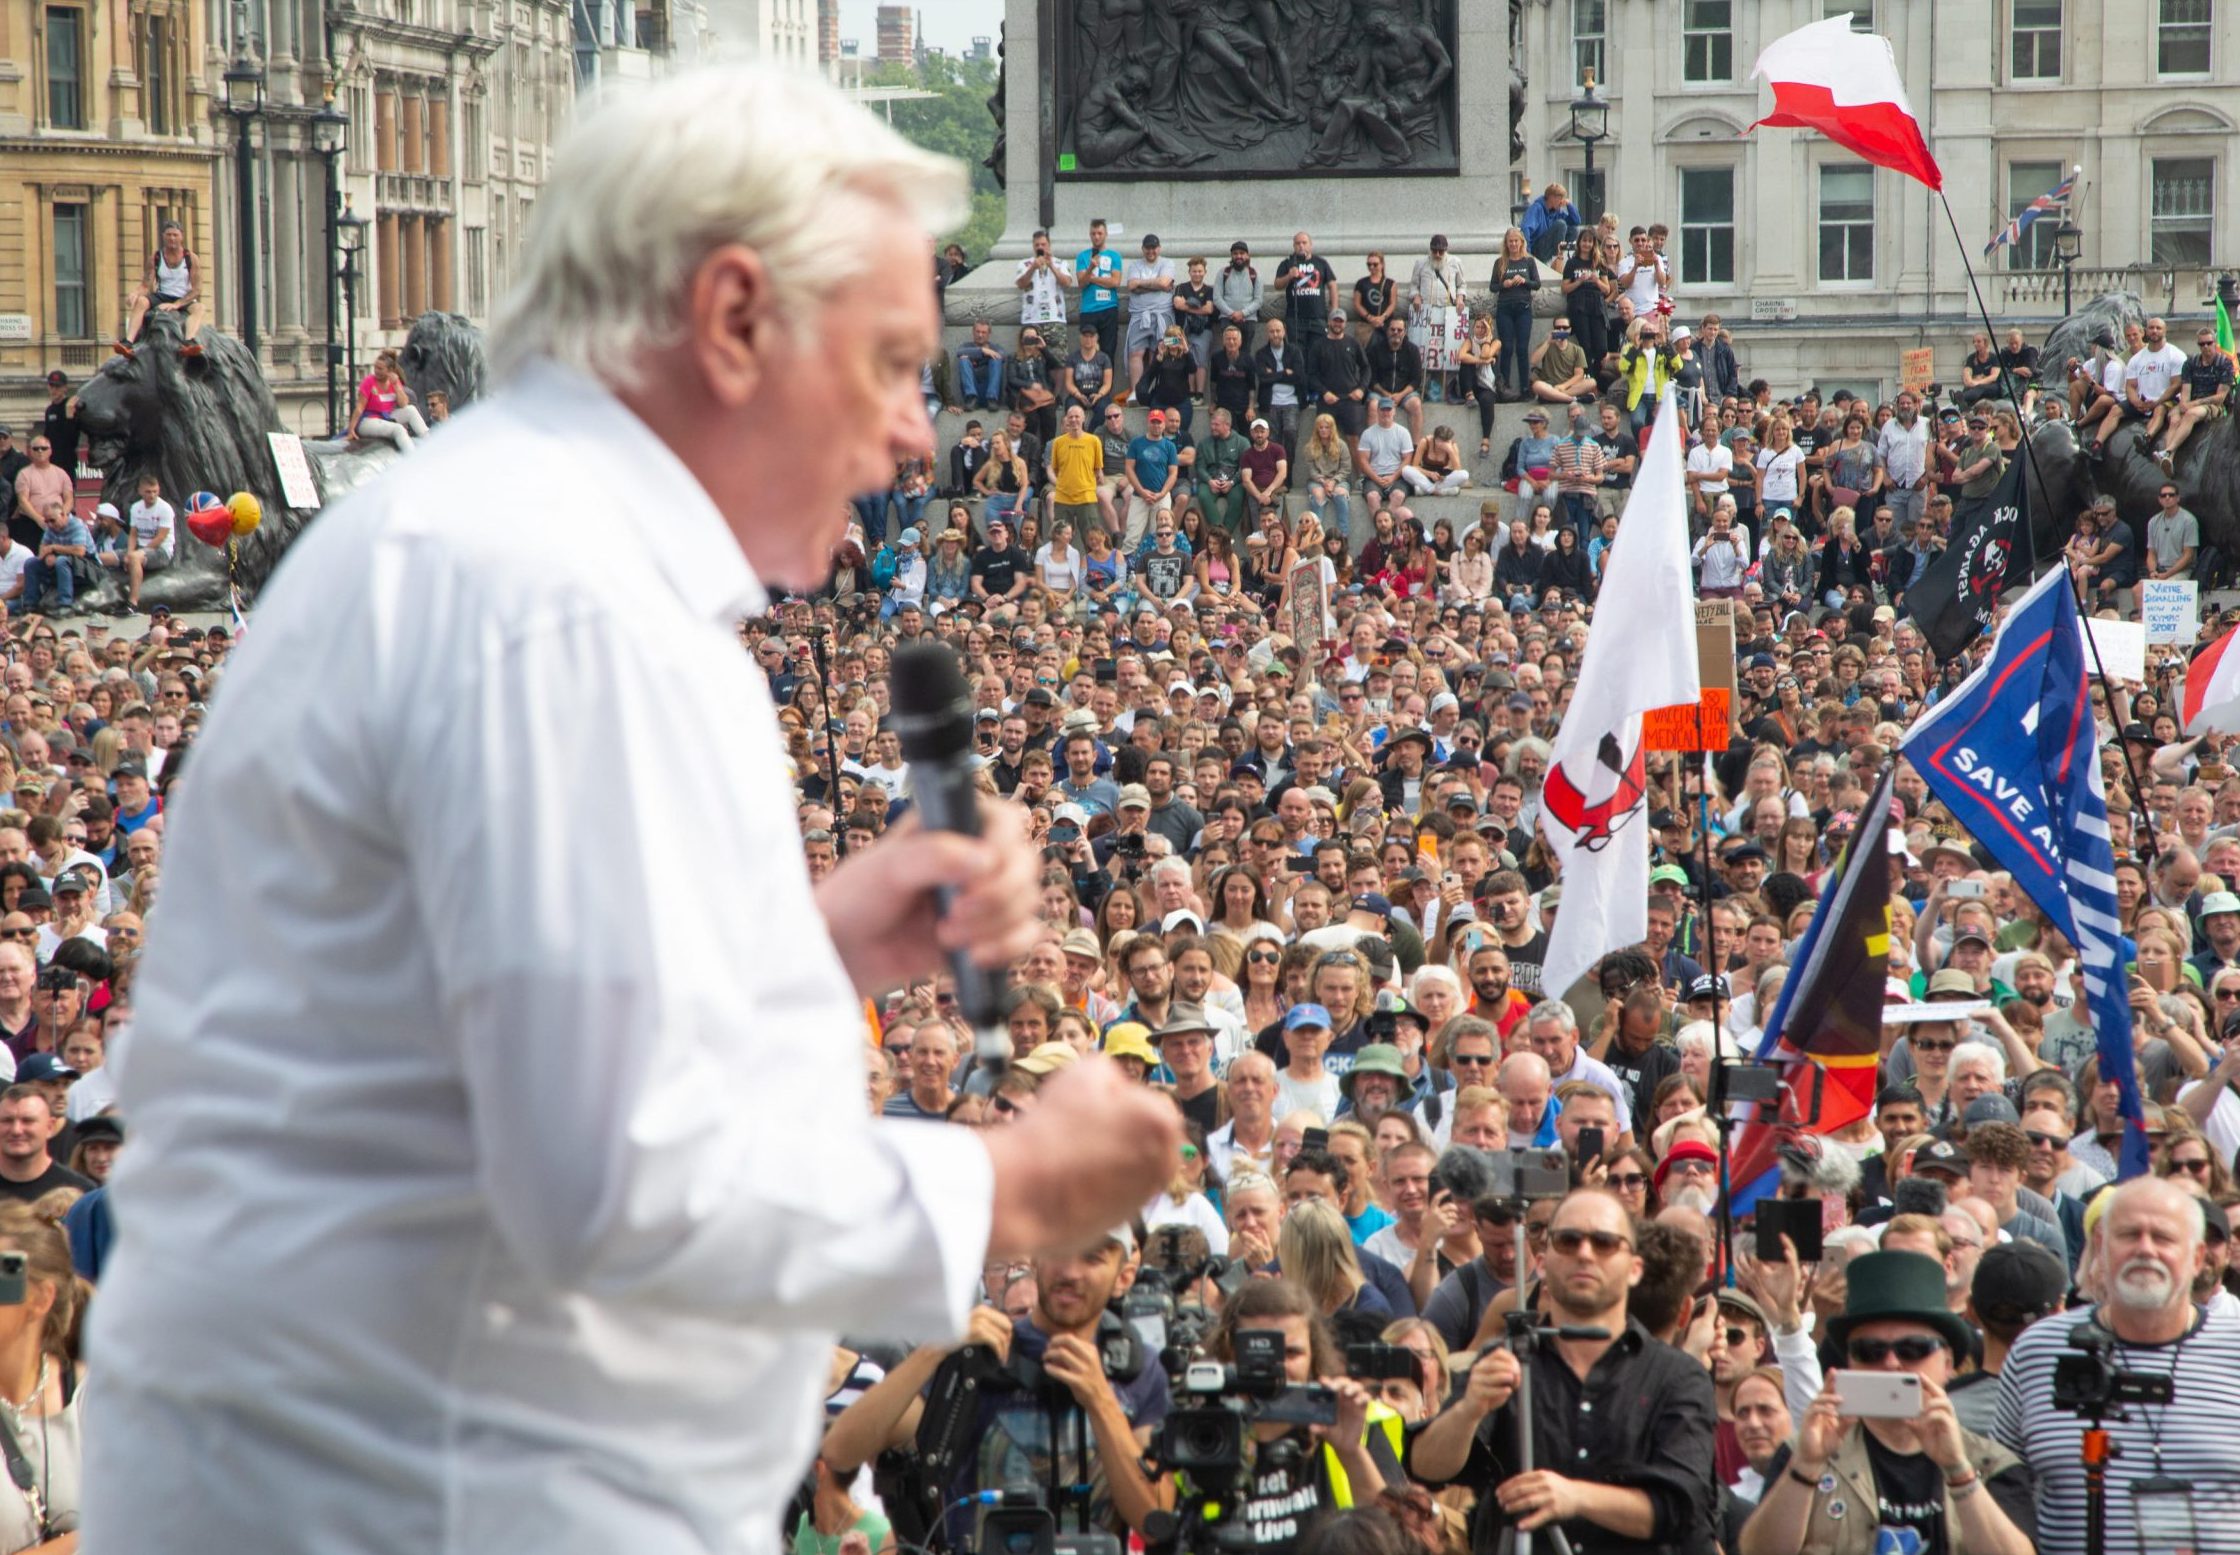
x,y
1845,84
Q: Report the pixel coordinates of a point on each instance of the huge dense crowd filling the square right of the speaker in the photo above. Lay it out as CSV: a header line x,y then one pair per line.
x,y
1294,879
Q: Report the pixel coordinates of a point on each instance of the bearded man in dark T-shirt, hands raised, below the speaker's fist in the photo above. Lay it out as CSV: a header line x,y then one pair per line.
x,y
1072,1426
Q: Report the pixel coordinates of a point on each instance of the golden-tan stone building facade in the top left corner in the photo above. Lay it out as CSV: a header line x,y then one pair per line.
x,y
104,136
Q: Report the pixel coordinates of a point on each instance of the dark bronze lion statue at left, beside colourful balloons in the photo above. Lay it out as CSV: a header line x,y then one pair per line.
x,y
196,425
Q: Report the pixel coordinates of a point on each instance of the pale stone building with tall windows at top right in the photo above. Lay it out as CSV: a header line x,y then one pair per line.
x,y
1829,268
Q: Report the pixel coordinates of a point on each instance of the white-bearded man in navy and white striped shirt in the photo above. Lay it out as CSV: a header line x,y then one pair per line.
x,y
2149,1249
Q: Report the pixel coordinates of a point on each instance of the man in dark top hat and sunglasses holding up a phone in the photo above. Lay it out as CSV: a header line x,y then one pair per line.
x,y
1880,1460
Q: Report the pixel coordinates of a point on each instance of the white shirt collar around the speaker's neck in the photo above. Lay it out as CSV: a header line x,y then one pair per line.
x,y
680,528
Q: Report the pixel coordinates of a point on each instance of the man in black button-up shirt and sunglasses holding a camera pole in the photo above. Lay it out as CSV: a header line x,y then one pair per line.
x,y
1623,1424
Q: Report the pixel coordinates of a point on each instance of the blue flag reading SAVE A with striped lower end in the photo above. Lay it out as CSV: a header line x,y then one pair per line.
x,y
2015,758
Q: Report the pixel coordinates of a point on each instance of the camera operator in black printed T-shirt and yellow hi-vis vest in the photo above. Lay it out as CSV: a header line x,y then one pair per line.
x,y
1341,1466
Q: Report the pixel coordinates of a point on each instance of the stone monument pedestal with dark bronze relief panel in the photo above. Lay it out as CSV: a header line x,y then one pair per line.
x,y
1370,124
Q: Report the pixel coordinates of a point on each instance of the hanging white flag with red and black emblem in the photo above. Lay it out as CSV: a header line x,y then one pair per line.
x,y
1639,658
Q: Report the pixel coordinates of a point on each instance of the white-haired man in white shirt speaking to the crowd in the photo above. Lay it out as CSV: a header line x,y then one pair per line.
x,y
501,1171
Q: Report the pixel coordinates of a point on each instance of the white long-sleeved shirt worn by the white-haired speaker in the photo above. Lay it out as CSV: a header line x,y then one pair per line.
x,y
510,1189
